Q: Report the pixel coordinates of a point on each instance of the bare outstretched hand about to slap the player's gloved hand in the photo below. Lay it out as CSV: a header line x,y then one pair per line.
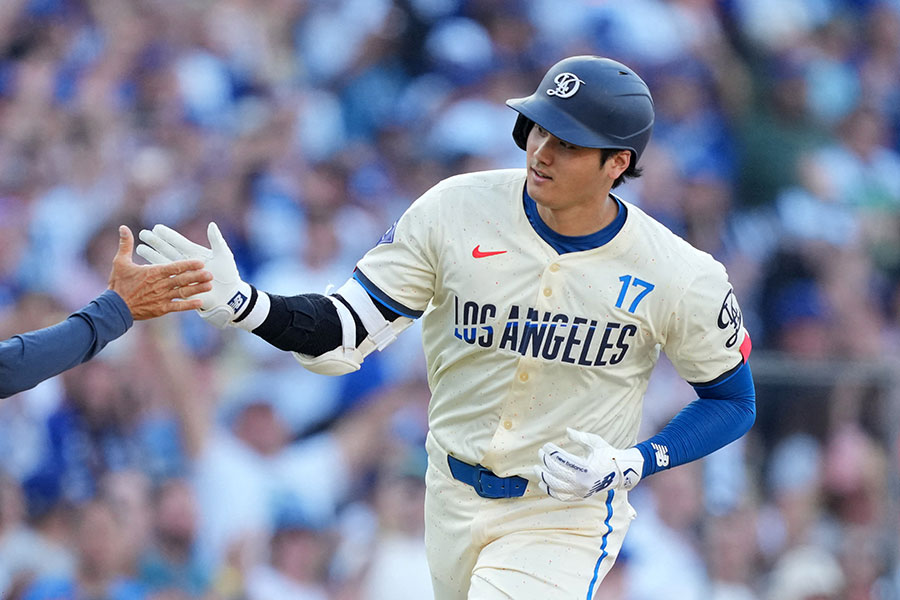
x,y
155,290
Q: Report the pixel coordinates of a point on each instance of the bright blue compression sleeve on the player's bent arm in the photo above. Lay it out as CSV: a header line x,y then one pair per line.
x,y
723,412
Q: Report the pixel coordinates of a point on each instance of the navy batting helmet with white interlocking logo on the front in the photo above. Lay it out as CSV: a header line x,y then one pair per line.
x,y
589,101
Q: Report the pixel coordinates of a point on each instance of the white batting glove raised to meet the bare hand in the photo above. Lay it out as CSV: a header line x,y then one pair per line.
x,y
229,296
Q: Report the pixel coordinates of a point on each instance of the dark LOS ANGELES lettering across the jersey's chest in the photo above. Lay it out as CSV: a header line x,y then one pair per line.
x,y
543,334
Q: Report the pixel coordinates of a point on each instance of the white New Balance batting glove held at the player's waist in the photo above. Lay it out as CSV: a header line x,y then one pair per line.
x,y
568,477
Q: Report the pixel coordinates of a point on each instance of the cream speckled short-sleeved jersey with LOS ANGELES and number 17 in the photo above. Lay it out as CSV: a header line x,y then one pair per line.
x,y
522,342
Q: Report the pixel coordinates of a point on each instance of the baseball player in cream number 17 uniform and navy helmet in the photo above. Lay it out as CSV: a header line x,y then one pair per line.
x,y
545,302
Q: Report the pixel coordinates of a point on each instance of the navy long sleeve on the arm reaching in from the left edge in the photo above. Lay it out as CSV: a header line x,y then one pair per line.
x,y
29,358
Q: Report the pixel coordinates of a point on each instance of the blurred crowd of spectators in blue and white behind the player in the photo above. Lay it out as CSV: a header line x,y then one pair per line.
x,y
186,462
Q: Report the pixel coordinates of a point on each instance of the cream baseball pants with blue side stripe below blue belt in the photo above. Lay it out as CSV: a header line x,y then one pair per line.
x,y
532,547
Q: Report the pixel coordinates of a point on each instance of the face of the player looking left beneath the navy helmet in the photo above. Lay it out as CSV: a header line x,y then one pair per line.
x,y
563,176
